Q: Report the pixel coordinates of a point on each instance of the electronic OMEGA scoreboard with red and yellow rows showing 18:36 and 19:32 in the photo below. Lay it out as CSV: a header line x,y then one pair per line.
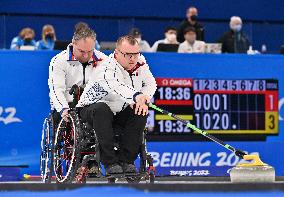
x,y
247,106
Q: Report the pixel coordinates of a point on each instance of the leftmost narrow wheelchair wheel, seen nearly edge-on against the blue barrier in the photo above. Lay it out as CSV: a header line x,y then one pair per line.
x,y
46,156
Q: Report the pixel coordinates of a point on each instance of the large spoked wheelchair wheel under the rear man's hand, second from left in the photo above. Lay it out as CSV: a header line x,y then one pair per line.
x,y
65,148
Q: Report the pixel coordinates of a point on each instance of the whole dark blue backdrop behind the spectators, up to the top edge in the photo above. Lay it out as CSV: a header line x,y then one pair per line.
x,y
111,18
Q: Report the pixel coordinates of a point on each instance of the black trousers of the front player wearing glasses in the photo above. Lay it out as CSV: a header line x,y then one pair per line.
x,y
129,125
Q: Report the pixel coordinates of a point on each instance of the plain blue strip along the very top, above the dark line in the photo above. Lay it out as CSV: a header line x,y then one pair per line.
x,y
218,9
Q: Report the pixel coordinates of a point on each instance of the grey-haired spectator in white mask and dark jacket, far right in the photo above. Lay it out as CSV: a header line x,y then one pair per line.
x,y
234,41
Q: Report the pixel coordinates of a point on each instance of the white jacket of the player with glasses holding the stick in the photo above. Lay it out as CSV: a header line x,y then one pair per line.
x,y
112,84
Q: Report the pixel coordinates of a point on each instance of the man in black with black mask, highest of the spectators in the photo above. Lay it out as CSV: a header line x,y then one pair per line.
x,y
191,21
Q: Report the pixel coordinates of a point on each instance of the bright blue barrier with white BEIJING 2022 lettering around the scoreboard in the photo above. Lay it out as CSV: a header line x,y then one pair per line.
x,y
24,103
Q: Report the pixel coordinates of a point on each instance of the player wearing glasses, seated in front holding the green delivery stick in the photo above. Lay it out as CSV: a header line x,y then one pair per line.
x,y
114,100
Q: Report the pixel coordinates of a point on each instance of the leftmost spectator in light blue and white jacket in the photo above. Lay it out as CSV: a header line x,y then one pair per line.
x,y
25,38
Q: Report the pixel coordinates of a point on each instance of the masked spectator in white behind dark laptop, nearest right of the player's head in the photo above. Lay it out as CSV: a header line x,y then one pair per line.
x,y
170,38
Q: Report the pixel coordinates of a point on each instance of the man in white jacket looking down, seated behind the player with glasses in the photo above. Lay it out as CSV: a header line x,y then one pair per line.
x,y
70,67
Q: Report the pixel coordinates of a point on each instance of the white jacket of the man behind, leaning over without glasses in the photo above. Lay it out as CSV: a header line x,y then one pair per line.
x,y
64,72
